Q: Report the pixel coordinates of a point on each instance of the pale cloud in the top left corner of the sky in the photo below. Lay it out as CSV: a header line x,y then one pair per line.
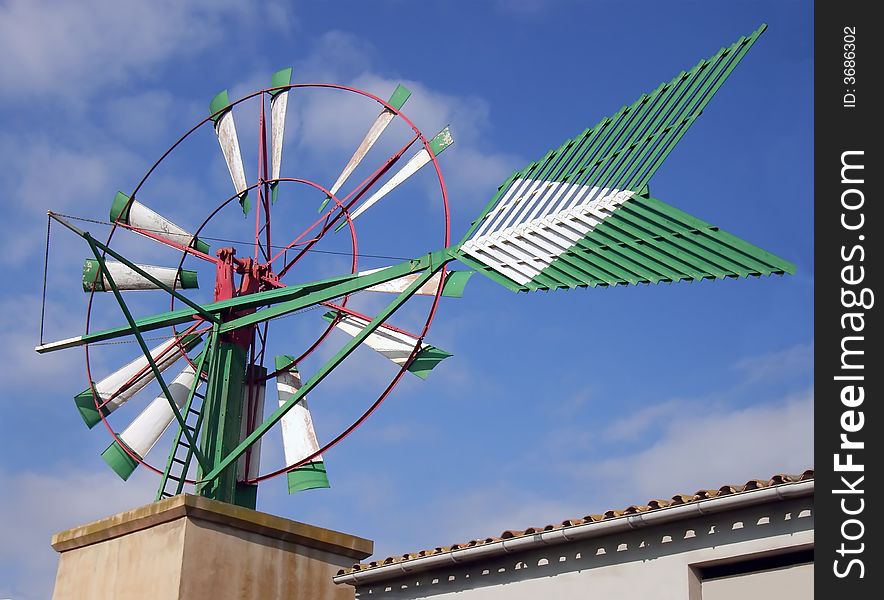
x,y
67,49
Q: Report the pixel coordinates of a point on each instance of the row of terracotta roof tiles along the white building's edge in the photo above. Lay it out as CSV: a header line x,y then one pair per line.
x,y
780,479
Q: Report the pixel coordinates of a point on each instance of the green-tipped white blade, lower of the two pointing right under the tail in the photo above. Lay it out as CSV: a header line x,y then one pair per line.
x,y
393,344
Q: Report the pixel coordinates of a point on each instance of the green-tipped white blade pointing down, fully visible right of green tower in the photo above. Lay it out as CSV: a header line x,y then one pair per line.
x,y
298,435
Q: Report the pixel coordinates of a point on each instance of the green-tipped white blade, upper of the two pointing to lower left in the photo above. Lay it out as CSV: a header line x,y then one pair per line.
x,y
118,387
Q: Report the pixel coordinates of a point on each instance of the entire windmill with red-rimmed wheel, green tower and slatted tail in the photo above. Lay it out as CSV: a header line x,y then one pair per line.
x,y
580,216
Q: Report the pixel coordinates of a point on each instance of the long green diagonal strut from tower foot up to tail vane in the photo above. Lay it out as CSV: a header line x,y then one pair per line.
x,y
323,371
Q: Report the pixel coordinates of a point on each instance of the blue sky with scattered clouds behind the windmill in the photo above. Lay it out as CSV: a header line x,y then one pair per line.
x,y
554,405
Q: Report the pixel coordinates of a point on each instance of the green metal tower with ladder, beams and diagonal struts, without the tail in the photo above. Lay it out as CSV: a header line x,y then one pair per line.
x,y
219,424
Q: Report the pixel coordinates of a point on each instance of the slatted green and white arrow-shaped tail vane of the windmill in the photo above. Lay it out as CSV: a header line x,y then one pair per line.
x,y
582,215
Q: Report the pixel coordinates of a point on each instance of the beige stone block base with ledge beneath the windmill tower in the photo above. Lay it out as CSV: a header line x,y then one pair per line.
x,y
192,547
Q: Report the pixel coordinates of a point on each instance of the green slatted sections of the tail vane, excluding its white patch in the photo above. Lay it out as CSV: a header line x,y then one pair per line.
x,y
646,241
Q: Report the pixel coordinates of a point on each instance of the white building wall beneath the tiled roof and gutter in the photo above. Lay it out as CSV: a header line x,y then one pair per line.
x,y
653,562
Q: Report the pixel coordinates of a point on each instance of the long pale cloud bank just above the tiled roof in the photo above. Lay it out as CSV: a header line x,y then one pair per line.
x,y
694,452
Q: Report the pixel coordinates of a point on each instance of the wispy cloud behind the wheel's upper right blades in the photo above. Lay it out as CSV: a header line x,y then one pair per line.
x,y
332,124
